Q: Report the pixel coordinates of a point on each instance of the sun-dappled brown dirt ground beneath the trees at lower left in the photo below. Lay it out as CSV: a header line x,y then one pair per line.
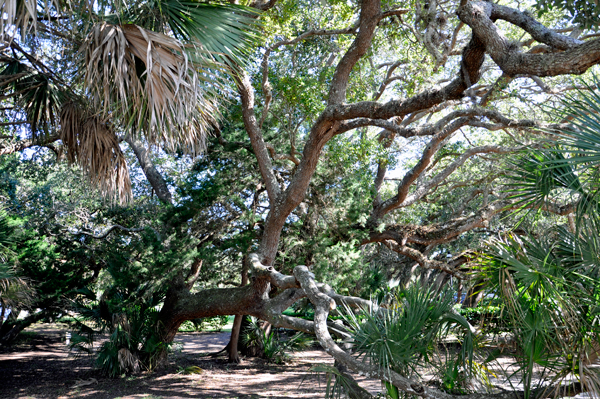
x,y
40,367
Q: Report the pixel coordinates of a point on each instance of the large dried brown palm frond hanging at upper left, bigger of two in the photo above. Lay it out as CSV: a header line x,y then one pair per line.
x,y
148,78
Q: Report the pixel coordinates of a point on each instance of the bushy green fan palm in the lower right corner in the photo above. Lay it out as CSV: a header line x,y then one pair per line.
x,y
549,298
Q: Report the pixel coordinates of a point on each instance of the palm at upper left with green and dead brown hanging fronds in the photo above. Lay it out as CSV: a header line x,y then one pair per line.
x,y
151,68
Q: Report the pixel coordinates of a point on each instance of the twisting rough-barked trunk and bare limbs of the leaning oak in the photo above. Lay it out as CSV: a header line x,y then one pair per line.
x,y
565,56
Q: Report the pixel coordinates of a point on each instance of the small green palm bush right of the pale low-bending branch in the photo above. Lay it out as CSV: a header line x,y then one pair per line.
x,y
406,335
